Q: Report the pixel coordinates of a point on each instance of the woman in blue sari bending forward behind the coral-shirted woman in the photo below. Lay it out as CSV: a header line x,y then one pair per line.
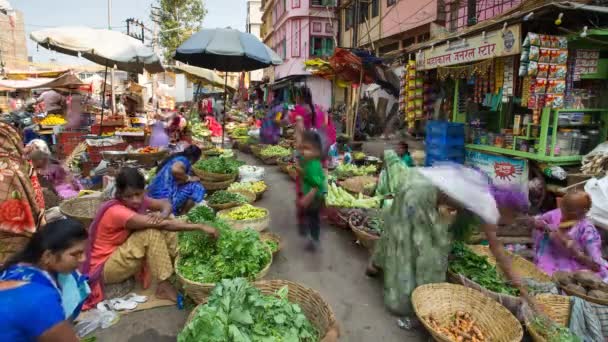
x,y
174,182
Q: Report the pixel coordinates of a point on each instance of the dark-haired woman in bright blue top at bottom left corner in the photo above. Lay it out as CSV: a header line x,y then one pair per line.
x,y
33,286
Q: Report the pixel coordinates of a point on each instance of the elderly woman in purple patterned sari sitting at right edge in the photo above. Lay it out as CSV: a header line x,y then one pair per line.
x,y
565,240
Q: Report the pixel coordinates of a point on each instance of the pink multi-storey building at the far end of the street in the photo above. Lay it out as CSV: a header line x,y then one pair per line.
x,y
299,30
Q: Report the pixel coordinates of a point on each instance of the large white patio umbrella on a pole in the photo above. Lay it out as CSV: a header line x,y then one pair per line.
x,y
105,47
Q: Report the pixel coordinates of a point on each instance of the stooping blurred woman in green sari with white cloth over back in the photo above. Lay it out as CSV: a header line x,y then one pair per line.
x,y
414,246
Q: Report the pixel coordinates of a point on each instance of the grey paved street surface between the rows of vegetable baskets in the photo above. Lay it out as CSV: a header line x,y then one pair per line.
x,y
337,272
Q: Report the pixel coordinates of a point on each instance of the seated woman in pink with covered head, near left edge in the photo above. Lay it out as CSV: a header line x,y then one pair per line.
x,y
64,184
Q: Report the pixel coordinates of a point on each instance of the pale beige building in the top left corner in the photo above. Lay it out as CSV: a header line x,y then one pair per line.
x,y
13,48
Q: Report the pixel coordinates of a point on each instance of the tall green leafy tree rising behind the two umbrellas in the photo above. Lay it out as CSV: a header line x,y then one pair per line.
x,y
179,19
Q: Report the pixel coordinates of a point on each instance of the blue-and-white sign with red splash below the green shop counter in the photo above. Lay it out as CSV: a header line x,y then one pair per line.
x,y
502,170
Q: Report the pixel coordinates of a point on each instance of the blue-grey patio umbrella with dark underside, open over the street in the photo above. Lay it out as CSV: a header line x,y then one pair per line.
x,y
226,50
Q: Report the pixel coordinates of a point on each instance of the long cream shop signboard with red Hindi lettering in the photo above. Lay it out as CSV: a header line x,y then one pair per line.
x,y
496,43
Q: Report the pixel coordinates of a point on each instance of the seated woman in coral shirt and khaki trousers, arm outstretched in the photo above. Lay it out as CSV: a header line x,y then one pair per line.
x,y
124,235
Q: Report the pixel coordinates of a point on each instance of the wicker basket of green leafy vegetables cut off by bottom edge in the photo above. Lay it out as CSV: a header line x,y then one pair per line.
x,y
273,310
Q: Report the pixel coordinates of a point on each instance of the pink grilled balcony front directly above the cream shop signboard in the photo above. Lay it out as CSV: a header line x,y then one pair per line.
x,y
463,13
